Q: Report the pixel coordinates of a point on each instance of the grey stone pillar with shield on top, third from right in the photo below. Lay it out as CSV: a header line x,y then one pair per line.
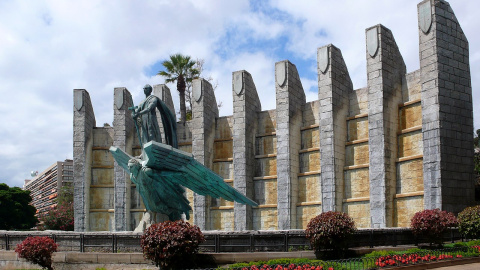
x,y
334,87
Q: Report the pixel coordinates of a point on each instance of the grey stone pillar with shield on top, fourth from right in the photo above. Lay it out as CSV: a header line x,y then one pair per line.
x,y
290,99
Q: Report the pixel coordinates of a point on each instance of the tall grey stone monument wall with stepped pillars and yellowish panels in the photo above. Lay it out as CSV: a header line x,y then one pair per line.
x,y
380,153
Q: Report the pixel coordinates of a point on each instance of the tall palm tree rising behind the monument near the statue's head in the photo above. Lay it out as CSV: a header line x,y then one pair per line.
x,y
180,69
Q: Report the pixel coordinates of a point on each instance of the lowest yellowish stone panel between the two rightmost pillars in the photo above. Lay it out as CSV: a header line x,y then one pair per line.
x,y
405,208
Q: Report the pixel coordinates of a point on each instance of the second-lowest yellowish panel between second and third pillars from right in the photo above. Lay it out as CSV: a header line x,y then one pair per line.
x,y
357,183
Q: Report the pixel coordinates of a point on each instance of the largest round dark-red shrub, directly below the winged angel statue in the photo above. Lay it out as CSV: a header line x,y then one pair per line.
x,y
171,245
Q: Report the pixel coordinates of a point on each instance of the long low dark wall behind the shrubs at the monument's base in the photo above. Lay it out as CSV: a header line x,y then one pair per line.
x,y
254,241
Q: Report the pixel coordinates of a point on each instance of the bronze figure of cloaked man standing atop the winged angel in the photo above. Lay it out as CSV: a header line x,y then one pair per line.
x,y
146,118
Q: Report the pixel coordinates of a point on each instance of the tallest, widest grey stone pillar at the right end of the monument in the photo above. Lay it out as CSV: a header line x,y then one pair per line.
x,y
447,112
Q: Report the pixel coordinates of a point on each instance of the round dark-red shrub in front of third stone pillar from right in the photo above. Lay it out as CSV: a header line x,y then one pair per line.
x,y
330,230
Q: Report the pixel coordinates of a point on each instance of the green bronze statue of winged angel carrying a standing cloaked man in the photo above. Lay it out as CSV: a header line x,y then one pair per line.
x,y
162,171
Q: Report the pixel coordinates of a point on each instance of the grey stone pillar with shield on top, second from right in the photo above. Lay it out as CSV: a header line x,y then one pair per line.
x,y
385,74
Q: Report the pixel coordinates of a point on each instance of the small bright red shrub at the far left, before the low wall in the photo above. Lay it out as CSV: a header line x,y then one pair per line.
x,y
37,250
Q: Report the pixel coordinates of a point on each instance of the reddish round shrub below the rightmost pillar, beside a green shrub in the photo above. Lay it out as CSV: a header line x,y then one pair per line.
x,y
432,224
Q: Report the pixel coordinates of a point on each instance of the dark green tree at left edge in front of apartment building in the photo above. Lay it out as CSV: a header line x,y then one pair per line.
x,y
16,213
